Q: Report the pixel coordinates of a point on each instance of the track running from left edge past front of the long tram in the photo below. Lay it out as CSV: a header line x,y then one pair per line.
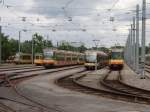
x,y
19,76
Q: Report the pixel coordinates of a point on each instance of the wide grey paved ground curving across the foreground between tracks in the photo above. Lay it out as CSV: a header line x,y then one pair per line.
x,y
44,90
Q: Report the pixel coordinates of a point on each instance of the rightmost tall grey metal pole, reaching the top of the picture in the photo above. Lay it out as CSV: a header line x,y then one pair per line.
x,y
143,39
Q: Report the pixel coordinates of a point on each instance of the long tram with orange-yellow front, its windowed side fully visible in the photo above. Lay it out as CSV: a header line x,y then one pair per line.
x,y
56,58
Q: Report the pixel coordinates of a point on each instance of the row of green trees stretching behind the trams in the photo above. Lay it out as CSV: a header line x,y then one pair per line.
x,y
10,46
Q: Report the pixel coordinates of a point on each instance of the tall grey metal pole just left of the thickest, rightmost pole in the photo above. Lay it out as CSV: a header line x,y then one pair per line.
x,y
137,38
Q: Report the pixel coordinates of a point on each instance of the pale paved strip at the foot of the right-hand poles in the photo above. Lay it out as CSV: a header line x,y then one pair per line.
x,y
131,78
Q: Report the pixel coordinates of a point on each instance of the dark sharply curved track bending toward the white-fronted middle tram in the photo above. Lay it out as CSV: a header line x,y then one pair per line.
x,y
73,82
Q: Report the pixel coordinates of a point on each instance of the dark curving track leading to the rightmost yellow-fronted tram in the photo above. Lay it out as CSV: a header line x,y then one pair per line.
x,y
123,90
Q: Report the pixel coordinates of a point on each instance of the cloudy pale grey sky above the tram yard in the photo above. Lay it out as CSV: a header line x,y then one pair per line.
x,y
74,21
